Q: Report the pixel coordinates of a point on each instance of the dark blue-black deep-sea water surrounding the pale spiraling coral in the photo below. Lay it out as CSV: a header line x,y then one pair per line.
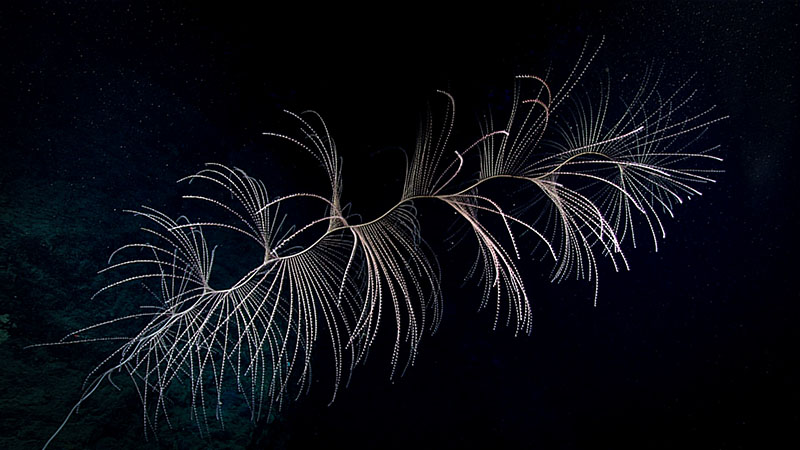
x,y
106,104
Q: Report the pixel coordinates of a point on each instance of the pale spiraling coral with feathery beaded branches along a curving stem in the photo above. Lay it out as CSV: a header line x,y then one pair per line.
x,y
584,178
